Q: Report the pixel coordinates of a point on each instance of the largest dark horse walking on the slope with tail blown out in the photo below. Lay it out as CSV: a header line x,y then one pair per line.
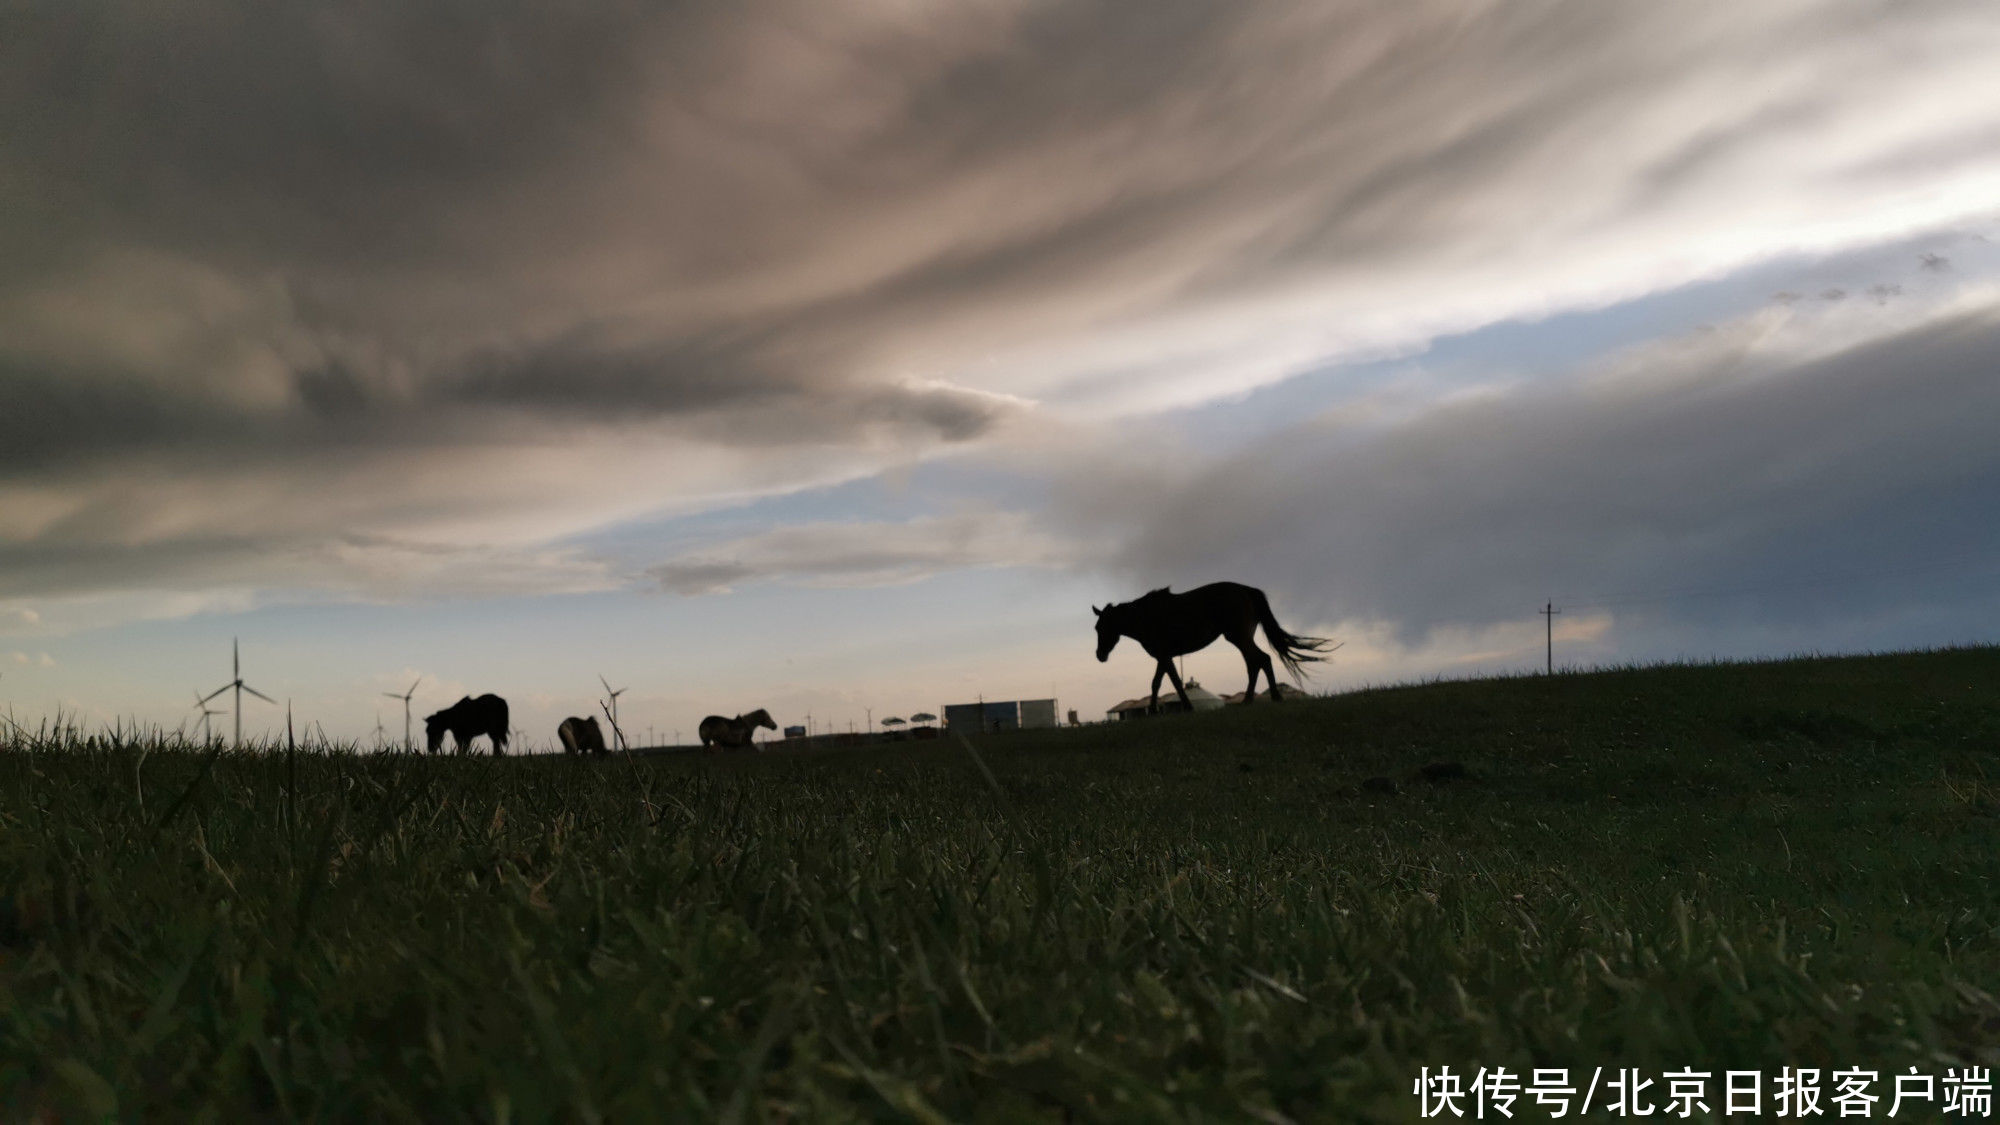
x,y
1173,626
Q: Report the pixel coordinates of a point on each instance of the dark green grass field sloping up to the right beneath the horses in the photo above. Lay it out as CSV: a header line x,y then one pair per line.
x,y
1191,918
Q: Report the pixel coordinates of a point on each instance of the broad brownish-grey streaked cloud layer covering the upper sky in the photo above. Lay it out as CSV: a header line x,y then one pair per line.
x,y
277,279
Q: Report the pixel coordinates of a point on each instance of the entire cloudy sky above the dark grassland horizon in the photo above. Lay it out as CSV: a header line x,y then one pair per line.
x,y
837,357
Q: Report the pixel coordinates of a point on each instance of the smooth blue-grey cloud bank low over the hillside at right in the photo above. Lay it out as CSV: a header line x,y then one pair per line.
x,y
1829,487
